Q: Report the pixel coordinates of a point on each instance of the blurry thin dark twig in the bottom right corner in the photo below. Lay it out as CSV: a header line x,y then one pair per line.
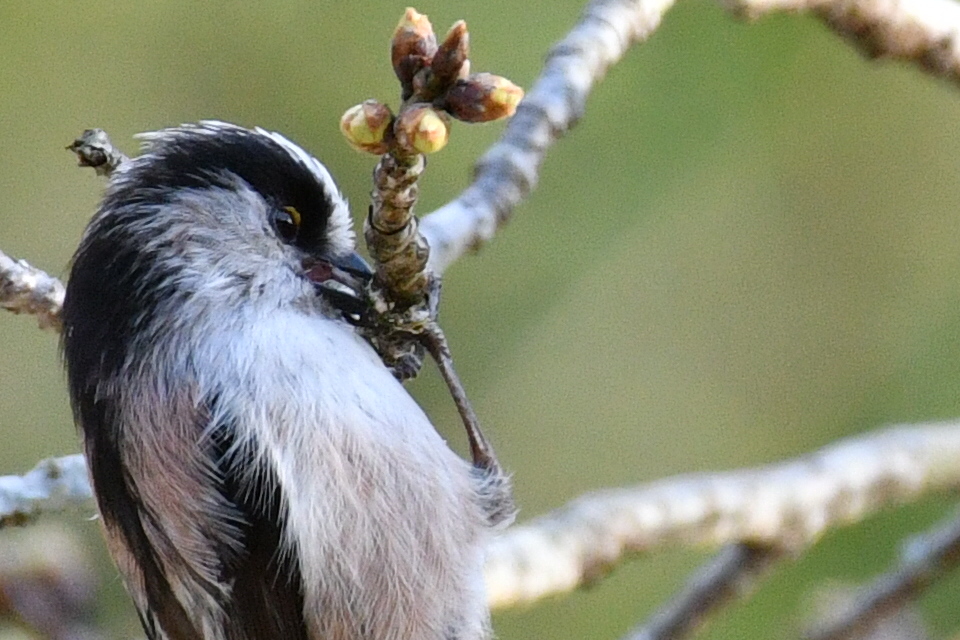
x,y
925,559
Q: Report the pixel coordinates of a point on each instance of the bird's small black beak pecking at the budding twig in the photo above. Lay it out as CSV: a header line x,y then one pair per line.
x,y
342,281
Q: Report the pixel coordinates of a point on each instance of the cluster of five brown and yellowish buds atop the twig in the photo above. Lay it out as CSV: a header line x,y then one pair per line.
x,y
436,84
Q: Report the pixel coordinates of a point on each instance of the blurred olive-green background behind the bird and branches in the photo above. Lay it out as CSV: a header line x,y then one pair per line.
x,y
747,249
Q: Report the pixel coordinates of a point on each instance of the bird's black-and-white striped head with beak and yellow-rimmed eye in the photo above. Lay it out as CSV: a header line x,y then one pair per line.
x,y
211,219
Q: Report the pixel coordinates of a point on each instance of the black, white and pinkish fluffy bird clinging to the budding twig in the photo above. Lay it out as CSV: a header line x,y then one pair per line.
x,y
258,472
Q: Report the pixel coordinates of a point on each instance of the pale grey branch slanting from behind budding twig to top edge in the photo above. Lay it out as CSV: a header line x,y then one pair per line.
x,y
509,170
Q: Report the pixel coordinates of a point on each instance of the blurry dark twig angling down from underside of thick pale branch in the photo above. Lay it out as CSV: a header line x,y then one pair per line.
x,y
731,575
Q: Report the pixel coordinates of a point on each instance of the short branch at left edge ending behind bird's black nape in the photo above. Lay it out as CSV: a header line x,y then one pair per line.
x,y
26,289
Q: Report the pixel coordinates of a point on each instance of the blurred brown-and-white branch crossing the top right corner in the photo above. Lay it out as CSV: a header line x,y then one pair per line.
x,y
925,32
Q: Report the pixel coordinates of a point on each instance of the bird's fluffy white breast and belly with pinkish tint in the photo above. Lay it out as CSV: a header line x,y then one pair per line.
x,y
382,515
